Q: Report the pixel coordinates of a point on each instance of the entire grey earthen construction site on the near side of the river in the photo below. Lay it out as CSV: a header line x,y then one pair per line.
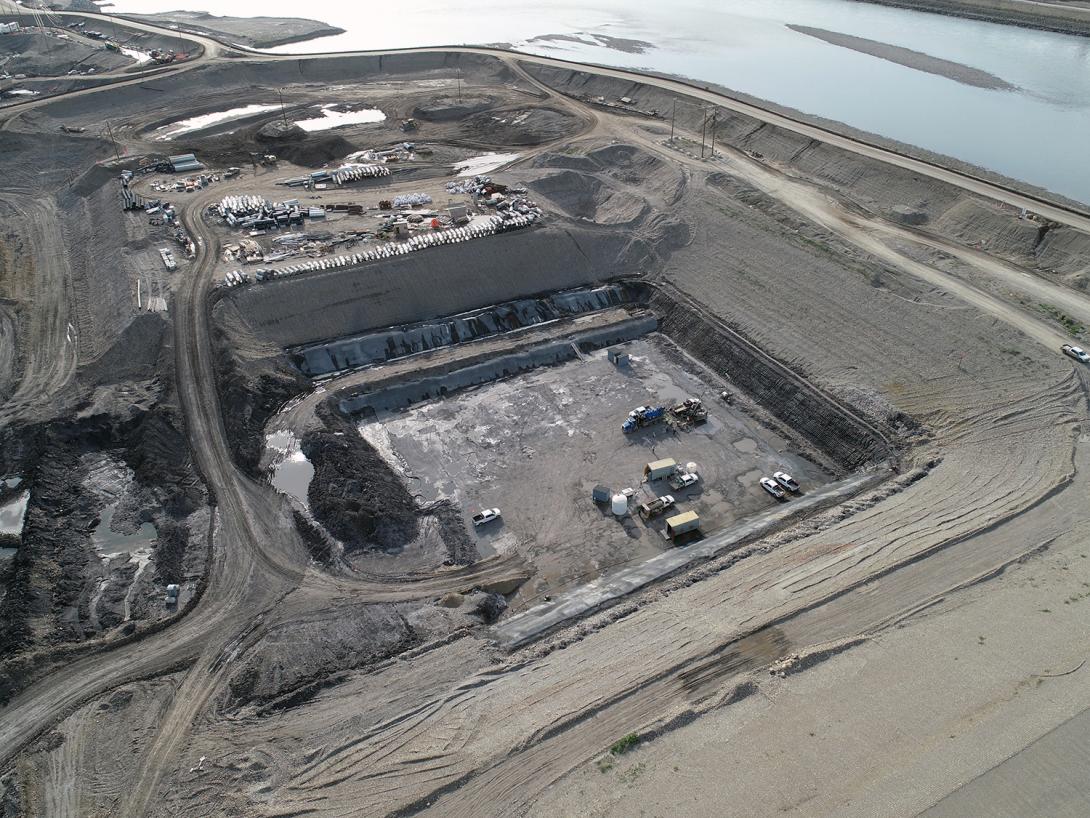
x,y
461,432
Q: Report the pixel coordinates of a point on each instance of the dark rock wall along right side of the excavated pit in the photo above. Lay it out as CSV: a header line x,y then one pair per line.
x,y
838,432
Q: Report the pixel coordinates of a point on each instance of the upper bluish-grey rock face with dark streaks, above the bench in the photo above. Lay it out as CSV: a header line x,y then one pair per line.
x,y
360,351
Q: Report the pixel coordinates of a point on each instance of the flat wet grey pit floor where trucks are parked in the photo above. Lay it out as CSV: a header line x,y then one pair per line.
x,y
537,446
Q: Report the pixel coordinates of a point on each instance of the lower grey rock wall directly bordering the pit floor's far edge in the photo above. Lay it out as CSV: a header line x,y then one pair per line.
x,y
401,393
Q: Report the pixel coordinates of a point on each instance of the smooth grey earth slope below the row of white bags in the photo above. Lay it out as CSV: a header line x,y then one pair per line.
x,y
305,310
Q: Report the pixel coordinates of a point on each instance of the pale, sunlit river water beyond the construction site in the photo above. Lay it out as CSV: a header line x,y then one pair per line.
x,y
1033,127
